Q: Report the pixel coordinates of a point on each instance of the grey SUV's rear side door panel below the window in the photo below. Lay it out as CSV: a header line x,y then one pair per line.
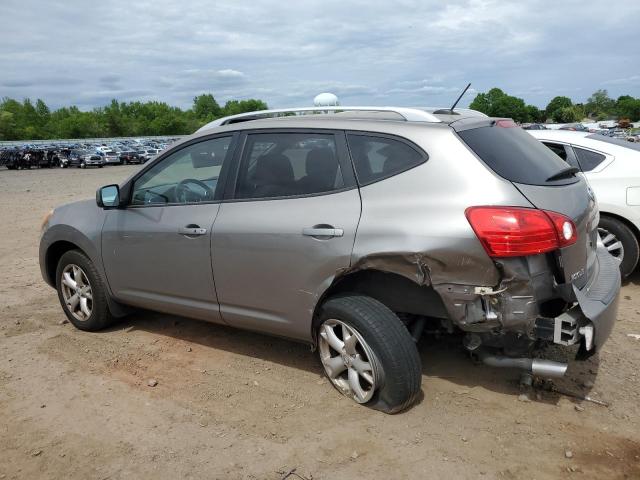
x,y
269,273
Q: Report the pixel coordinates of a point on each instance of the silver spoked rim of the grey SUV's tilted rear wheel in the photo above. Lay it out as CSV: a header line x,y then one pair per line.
x,y
348,361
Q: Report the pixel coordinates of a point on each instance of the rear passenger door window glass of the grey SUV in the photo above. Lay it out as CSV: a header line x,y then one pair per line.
x,y
286,164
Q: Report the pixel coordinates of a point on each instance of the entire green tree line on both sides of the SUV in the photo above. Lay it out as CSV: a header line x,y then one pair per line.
x,y
33,121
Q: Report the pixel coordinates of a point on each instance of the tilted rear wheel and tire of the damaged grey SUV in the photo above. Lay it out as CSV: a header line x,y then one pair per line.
x,y
382,343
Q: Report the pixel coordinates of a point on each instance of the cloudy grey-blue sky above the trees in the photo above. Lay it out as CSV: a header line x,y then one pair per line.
x,y
410,52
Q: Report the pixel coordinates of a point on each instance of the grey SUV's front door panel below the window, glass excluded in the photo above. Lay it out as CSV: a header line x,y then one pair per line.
x,y
152,260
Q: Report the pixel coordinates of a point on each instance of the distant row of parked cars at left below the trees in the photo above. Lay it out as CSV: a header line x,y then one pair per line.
x,y
79,155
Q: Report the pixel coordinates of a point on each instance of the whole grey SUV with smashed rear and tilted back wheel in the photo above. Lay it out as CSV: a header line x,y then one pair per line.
x,y
352,231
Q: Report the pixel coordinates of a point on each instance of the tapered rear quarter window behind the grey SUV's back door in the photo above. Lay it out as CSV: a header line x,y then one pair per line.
x,y
375,158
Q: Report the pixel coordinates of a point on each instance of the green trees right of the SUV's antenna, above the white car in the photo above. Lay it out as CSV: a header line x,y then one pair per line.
x,y
599,106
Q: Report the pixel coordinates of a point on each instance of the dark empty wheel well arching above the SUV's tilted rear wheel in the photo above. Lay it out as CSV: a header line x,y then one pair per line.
x,y
398,293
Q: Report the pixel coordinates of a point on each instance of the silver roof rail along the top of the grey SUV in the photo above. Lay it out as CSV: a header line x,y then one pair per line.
x,y
408,114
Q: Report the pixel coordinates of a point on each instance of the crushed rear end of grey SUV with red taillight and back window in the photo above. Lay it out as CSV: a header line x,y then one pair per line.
x,y
557,283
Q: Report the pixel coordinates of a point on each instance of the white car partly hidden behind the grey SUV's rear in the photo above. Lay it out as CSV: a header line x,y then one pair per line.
x,y
612,167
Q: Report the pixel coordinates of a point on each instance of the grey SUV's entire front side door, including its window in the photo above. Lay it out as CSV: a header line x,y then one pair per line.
x,y
157,252
